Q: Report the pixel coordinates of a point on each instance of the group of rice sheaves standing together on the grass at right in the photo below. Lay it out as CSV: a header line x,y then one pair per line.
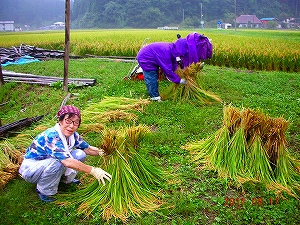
x,y
250,146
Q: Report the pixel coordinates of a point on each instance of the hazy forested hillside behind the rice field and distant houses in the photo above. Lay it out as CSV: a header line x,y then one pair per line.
x,y
142,13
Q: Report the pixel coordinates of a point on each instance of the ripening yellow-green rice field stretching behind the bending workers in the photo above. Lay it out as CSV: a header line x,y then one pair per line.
x,y
251,49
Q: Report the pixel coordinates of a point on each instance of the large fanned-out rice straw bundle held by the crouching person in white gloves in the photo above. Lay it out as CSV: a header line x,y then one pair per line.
x,y
133,187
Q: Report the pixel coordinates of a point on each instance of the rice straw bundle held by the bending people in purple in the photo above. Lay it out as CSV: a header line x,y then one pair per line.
x,y
191,91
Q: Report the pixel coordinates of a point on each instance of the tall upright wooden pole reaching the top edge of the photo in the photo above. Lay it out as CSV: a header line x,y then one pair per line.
x,y
67,45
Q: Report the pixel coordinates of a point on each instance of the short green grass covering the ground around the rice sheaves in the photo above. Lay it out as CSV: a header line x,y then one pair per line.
x,y
194,196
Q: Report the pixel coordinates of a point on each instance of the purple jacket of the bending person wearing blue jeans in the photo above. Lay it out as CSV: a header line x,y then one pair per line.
x,y
163,55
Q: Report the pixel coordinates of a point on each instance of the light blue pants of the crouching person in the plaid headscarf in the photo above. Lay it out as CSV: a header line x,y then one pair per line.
x,y
47,173
